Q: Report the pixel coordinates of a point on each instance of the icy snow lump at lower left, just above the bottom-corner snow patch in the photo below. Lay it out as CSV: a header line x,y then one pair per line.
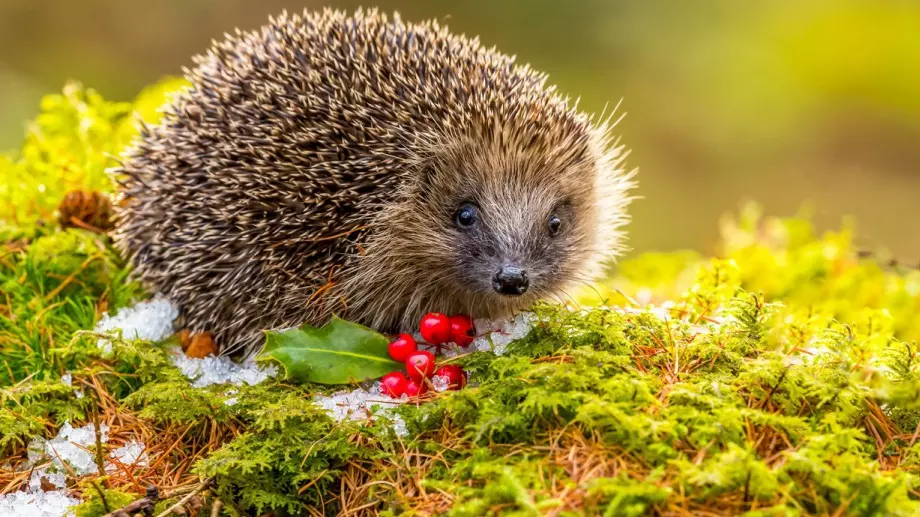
x,y
71,445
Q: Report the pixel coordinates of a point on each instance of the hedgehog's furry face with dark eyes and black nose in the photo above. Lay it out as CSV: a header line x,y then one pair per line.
x,y
505,225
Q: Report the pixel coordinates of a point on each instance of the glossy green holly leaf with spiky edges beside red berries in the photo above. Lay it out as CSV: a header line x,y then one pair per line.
x,y
339,352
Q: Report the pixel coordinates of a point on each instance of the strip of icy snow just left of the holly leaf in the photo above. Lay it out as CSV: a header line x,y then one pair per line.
x,y
222,370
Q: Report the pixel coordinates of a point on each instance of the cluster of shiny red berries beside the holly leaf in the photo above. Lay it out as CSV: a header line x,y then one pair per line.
x,y
436,329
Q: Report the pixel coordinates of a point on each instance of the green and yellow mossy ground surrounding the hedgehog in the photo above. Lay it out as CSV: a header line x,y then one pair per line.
x,y
785,380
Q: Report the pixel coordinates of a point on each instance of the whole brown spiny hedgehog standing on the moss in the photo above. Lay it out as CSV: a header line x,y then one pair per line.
x,y
361,166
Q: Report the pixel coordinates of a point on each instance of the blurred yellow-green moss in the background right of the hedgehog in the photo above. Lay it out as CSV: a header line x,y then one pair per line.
x,y
783,259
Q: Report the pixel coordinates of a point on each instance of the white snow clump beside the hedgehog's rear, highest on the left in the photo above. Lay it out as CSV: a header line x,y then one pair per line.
x,y
151,320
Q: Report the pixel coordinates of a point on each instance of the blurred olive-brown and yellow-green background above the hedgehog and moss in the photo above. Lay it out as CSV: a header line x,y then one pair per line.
x,y
789,103
